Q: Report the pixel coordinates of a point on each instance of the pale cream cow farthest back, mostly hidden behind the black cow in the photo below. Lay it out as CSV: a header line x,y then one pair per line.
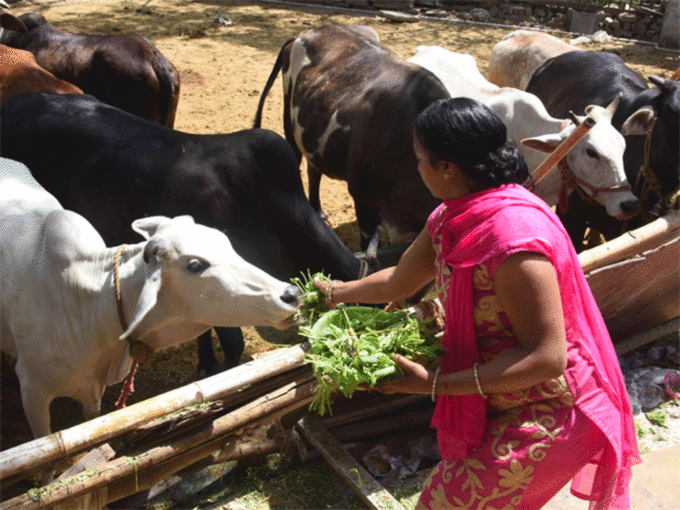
x,y
517,56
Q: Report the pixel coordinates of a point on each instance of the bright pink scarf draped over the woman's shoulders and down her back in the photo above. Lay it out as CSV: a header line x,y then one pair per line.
x,y
499,222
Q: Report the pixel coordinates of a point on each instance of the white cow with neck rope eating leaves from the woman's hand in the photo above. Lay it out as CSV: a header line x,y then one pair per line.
x,y
58,314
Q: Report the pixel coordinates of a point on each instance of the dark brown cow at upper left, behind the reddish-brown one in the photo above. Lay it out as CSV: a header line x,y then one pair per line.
x,y
123,70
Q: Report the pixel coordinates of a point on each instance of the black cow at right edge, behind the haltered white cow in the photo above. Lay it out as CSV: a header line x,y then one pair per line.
x,y
649,117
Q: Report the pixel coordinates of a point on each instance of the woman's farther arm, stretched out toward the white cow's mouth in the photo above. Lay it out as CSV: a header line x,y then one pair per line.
x,y
415,269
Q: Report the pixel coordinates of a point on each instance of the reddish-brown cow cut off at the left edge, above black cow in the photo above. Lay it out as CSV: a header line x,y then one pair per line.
x,y
21,74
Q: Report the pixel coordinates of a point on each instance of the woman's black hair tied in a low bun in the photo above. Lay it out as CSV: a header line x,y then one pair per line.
x,y
465,132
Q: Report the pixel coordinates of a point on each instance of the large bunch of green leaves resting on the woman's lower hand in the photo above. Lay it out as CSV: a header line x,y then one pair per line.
x,y
352,346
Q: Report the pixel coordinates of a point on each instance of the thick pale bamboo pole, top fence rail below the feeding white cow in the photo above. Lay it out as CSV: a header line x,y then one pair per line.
x,y
69,441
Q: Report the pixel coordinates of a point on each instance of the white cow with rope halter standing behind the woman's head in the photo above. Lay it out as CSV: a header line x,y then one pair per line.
x,y
597,159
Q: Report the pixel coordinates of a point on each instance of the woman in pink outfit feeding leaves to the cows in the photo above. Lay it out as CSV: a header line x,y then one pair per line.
x,y
530,394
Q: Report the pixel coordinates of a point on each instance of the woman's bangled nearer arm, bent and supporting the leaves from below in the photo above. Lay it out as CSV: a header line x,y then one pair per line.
x,y
528,292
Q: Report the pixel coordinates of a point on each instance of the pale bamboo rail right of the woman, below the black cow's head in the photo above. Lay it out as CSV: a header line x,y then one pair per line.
x,y
631,243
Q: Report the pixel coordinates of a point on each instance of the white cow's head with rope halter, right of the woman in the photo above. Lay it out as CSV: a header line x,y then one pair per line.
x,y
597,160
